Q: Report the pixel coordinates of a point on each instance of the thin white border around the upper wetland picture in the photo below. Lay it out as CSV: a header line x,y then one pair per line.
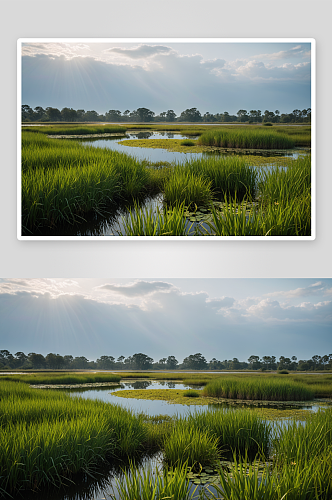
x,y
312,41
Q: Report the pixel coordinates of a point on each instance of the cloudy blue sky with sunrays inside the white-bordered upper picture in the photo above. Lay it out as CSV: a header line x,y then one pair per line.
x,y
213,77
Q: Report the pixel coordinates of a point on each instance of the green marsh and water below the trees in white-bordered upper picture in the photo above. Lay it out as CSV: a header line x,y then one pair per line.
x,y
195,182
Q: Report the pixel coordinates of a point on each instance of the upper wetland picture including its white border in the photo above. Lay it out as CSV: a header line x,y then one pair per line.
x,y
179,138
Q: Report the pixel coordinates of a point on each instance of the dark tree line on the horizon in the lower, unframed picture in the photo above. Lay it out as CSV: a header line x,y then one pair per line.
x,y
140,361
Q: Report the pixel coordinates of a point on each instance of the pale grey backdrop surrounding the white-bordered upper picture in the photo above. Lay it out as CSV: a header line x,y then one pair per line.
x,y
160,18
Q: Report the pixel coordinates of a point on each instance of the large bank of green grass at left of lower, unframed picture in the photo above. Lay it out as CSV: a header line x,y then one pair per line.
x,y
47,436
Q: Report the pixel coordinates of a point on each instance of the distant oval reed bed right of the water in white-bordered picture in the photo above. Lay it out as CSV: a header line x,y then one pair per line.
x,y
246,139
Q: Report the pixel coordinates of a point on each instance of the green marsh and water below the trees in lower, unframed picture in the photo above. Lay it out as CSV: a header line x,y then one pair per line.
x,y
145,438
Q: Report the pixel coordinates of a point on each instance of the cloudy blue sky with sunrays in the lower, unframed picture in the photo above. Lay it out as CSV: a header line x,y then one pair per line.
x,y
220,318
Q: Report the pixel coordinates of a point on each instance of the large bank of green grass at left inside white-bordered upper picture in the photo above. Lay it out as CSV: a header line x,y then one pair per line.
x,y
64,181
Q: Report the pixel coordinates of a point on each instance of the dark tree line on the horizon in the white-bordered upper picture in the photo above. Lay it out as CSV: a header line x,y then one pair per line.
x,y
49,114
